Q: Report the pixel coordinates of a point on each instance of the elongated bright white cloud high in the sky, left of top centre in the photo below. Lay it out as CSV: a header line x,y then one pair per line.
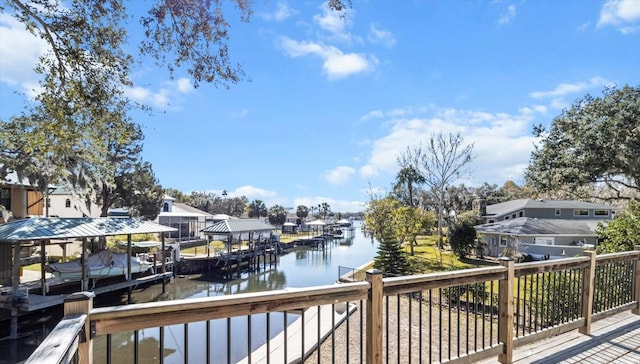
x,y
336,64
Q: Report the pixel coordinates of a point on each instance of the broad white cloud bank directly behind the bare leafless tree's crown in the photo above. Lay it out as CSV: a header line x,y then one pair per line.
x,y
499,139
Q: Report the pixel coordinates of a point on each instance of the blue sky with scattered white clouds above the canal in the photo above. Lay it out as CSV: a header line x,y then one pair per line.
x,y
328,105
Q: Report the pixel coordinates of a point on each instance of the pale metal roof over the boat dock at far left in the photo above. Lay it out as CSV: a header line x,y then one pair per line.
x,y
45,228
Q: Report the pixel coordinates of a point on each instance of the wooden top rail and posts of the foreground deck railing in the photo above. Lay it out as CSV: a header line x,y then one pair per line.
x,y
69,339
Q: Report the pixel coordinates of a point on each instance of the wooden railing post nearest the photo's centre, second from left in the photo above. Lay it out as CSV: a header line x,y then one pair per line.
x,y
374,317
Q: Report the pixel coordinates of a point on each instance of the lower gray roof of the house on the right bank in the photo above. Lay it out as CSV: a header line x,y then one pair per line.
x,y
530,226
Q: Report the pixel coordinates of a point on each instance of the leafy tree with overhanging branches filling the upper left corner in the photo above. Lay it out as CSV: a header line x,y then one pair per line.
x,y
87,68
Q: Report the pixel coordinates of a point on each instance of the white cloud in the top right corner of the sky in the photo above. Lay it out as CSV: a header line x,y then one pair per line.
x,y
622,14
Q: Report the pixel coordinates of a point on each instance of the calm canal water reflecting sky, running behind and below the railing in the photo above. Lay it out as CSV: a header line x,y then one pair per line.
x,y
301,267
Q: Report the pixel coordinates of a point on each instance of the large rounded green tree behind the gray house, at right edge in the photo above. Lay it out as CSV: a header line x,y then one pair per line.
x,y
595,141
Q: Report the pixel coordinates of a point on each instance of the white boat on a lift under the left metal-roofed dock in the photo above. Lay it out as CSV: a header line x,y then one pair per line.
x,y
102,264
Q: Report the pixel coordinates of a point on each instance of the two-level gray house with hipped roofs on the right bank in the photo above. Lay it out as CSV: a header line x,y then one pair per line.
x,y
541,228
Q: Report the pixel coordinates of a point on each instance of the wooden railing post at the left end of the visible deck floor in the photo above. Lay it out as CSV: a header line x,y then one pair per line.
x,y
505,321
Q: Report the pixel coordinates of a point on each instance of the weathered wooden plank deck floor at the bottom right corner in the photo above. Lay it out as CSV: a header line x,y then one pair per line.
x,y
615,339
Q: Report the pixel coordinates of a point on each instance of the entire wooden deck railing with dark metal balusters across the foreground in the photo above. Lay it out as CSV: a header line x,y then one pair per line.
x,y
457,316
